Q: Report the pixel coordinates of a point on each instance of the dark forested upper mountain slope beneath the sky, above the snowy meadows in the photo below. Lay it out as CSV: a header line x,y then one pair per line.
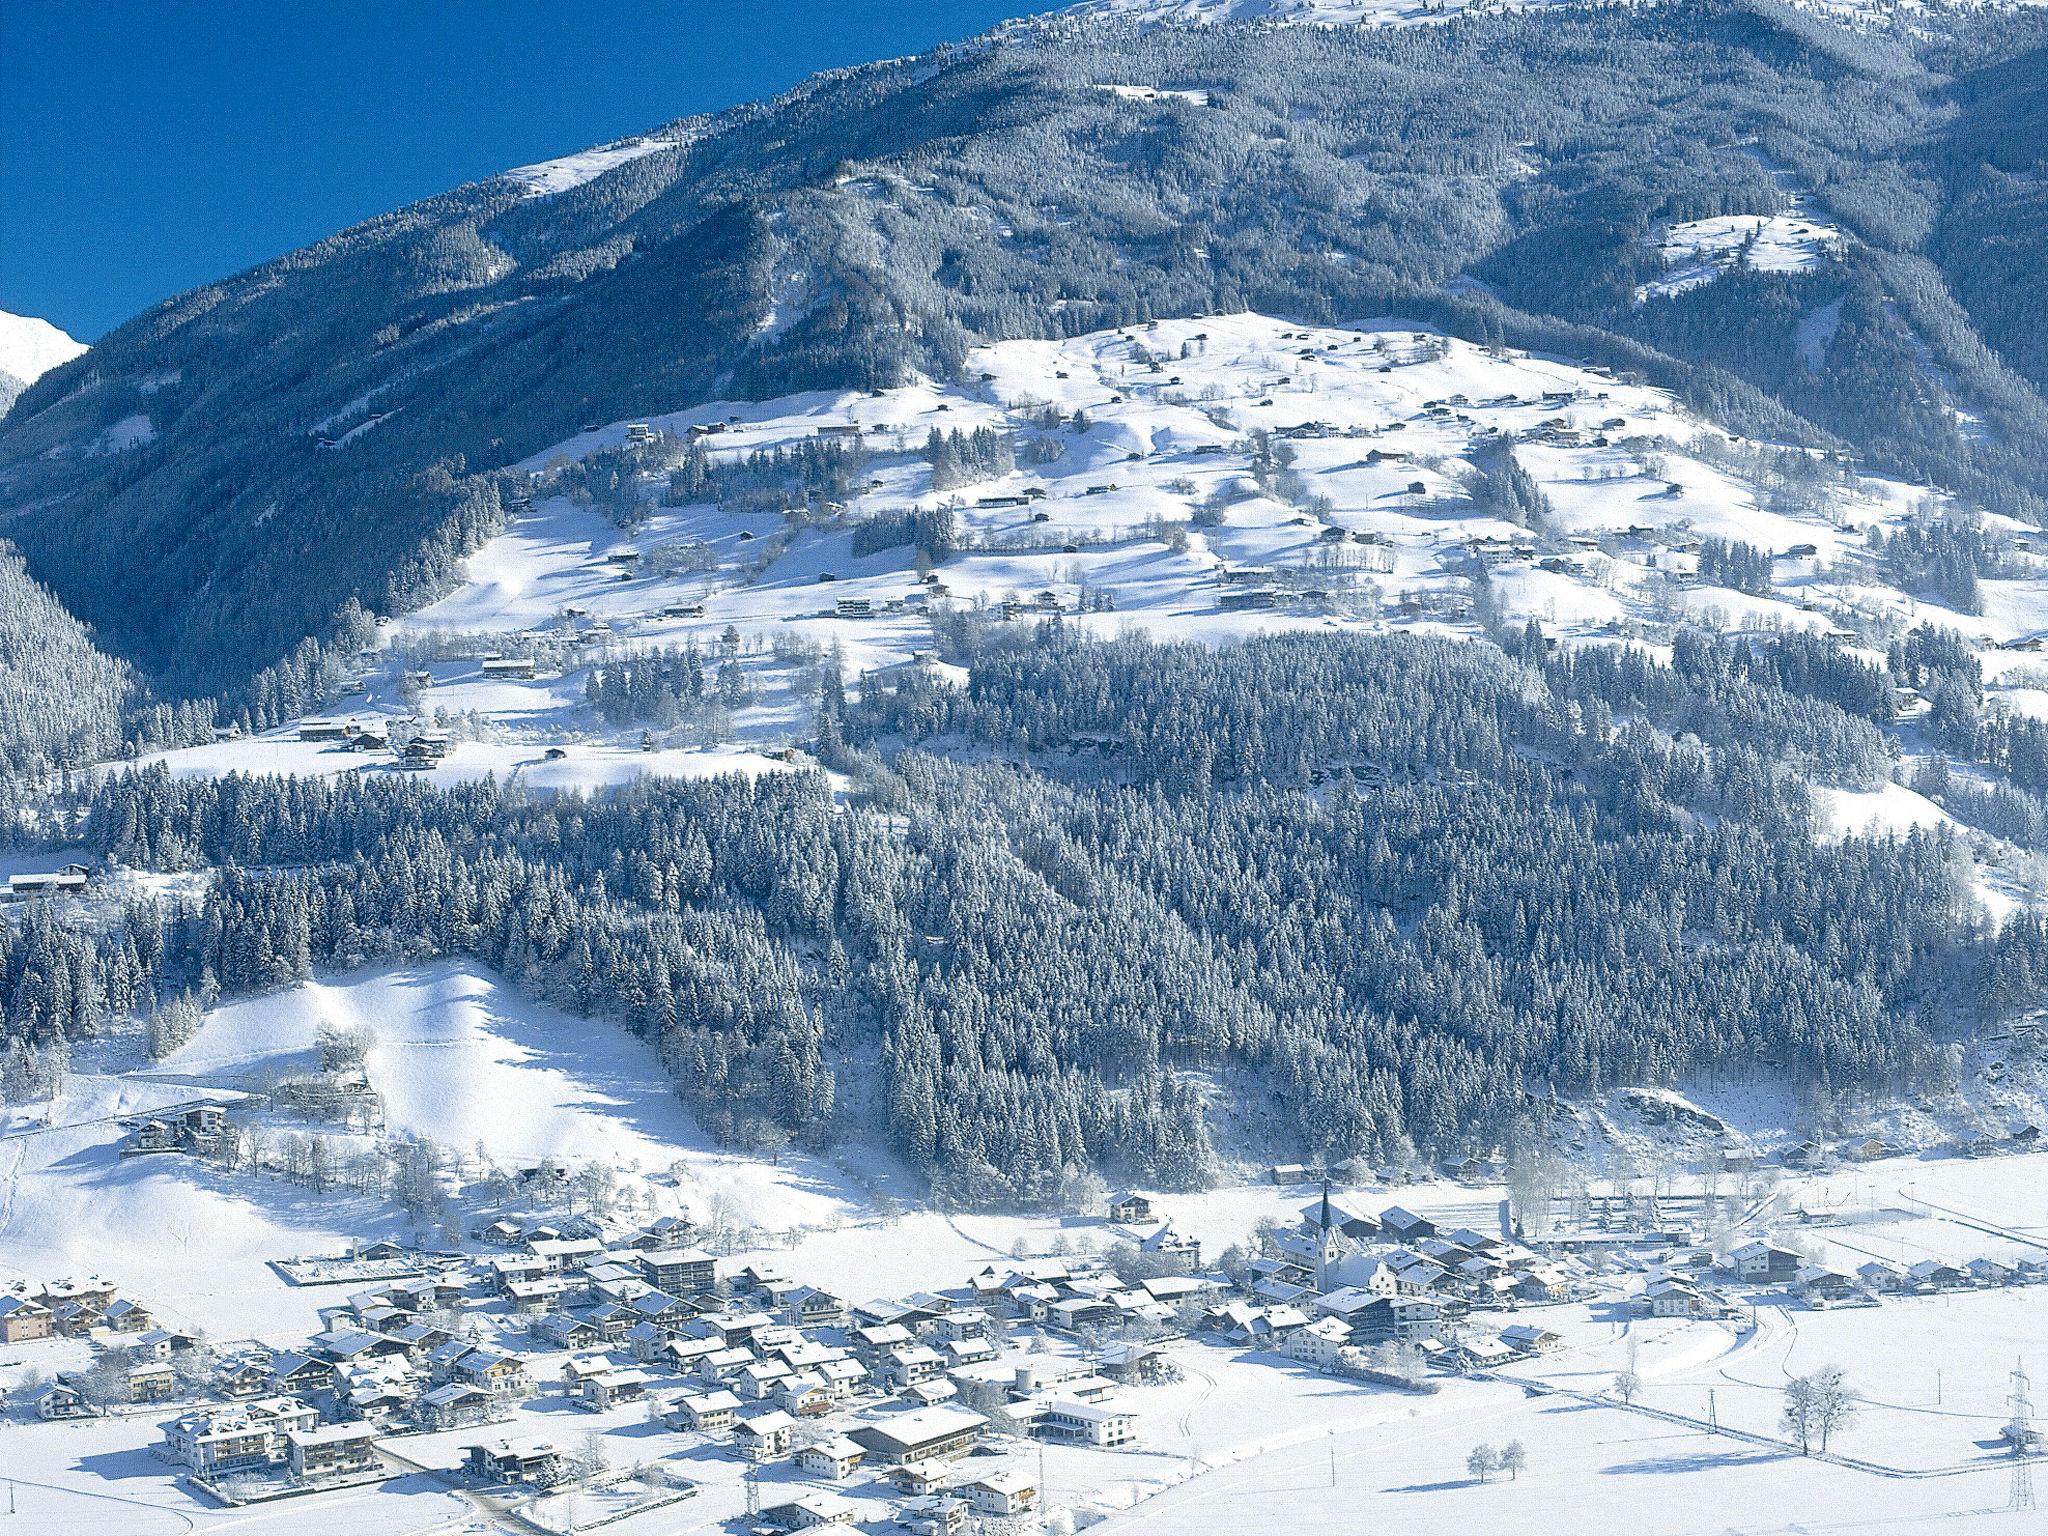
x,y
226,472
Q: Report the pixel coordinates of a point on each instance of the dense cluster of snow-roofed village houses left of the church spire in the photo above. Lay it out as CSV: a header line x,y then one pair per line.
x,y
904,1396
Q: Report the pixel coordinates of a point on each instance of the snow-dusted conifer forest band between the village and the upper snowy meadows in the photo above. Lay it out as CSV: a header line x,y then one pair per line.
x,y
1400,890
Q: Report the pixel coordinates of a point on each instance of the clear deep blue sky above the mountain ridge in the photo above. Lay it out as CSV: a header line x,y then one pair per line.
x,y
146,148
